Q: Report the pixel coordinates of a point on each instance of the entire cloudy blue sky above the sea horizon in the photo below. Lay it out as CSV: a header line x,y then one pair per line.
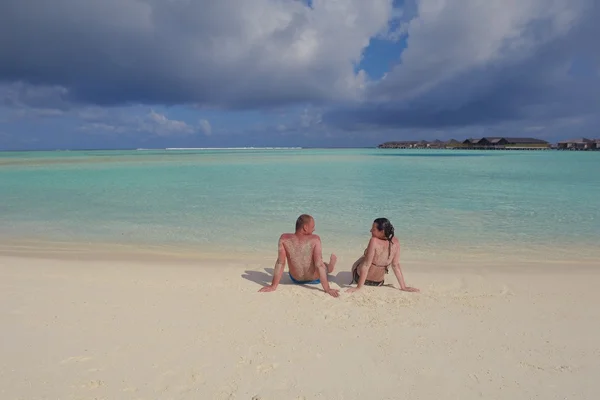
x,y
86,74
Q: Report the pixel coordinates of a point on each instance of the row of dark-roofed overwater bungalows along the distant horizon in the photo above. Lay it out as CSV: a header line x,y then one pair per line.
x,y
495,143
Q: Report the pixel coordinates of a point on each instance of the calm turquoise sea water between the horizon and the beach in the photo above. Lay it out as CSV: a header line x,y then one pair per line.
x,y
441,202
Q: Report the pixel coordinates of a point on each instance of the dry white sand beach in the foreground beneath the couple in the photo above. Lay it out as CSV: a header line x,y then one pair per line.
x,y
134,329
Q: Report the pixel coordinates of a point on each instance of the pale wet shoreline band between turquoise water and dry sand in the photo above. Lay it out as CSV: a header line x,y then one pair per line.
x,y
44,250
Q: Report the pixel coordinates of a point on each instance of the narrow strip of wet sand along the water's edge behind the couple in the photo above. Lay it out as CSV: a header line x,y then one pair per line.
x,y
185,254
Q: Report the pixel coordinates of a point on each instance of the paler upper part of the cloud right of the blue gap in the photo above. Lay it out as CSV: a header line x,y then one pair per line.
x,y
448,38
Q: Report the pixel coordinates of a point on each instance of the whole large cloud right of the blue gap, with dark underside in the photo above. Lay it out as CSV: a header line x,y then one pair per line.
x,y
483,64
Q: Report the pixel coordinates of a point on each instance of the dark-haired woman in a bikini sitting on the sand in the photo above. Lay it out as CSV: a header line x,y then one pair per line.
x,y
383,250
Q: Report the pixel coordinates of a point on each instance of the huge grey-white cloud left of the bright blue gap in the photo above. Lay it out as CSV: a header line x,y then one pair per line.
x,y
226,53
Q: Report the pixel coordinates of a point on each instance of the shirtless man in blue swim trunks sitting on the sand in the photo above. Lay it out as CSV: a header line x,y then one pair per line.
x,y
303,252
